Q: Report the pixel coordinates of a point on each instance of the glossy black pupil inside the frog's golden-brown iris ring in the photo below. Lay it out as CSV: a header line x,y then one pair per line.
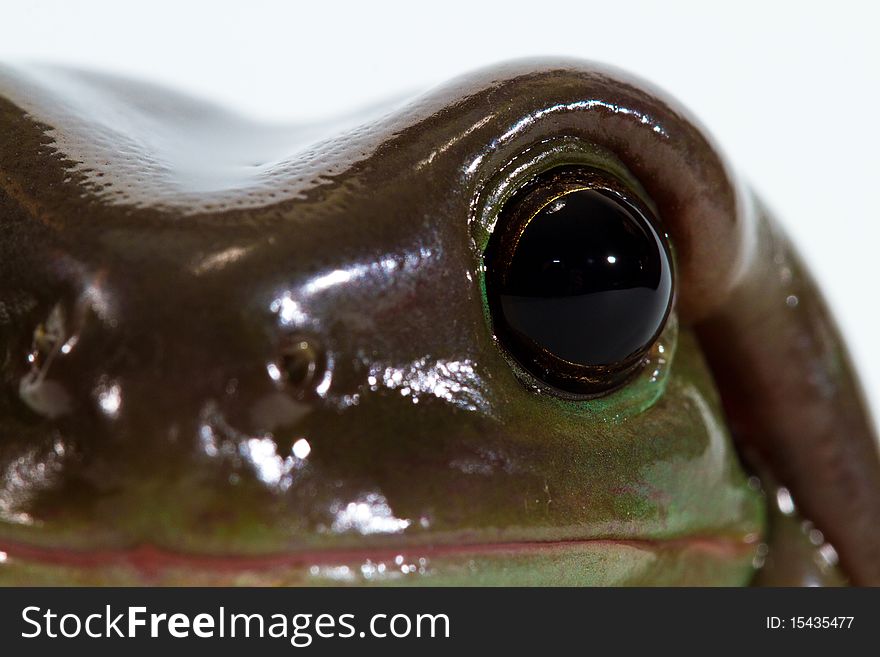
x,y
589,280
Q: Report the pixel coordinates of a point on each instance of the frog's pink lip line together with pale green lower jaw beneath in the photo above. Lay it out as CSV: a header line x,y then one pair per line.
x,y
588,561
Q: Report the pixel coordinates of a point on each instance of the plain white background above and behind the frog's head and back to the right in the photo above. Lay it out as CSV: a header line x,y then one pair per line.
x,y
791,90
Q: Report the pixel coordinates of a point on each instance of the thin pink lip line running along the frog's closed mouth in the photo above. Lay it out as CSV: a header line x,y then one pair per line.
x,y
149,559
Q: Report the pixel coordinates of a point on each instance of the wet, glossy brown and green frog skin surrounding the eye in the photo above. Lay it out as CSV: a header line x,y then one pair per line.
x,y
157,253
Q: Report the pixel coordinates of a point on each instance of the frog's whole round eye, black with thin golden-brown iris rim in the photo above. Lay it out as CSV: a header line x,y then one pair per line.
x,y
578,280
